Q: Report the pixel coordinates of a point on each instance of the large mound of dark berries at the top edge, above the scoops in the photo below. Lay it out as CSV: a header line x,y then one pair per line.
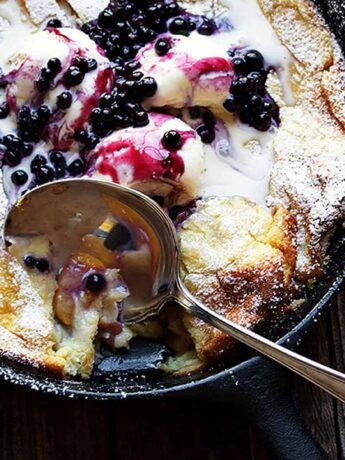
x,y
126,26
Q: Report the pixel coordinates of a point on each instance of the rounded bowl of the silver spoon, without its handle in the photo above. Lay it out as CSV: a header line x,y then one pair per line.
x,y
81,214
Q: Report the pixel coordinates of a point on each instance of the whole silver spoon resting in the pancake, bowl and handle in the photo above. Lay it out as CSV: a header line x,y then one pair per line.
x,y
67,210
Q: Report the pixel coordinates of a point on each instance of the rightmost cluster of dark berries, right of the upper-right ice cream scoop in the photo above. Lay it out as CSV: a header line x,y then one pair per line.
x,y
248,96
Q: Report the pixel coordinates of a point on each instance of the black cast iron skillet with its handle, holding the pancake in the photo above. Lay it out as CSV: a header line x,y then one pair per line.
x,y
256,387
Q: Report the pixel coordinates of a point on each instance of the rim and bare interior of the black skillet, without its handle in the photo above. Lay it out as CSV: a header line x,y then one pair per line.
x,y
135,374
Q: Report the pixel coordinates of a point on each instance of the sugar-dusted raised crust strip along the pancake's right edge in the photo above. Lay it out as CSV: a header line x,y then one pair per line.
x,y
308,177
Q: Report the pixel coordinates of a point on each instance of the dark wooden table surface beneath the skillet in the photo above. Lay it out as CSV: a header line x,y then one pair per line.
x,y
44,427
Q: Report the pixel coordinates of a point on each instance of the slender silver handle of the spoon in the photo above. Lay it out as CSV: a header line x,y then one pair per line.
x,y
326,378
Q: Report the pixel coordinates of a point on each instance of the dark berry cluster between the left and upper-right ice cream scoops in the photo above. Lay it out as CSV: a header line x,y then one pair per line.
x,y
122,107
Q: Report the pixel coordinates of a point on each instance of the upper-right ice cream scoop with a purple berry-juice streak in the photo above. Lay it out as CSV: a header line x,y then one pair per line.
x,y
196,71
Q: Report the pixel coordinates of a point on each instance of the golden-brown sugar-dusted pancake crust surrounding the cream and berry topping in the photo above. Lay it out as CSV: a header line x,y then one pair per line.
x,y
306,198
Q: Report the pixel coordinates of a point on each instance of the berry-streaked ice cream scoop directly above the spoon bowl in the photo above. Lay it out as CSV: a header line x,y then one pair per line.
x,y
136,157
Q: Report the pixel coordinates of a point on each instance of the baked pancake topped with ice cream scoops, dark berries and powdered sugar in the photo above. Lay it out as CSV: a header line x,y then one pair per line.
x,y
229,114
